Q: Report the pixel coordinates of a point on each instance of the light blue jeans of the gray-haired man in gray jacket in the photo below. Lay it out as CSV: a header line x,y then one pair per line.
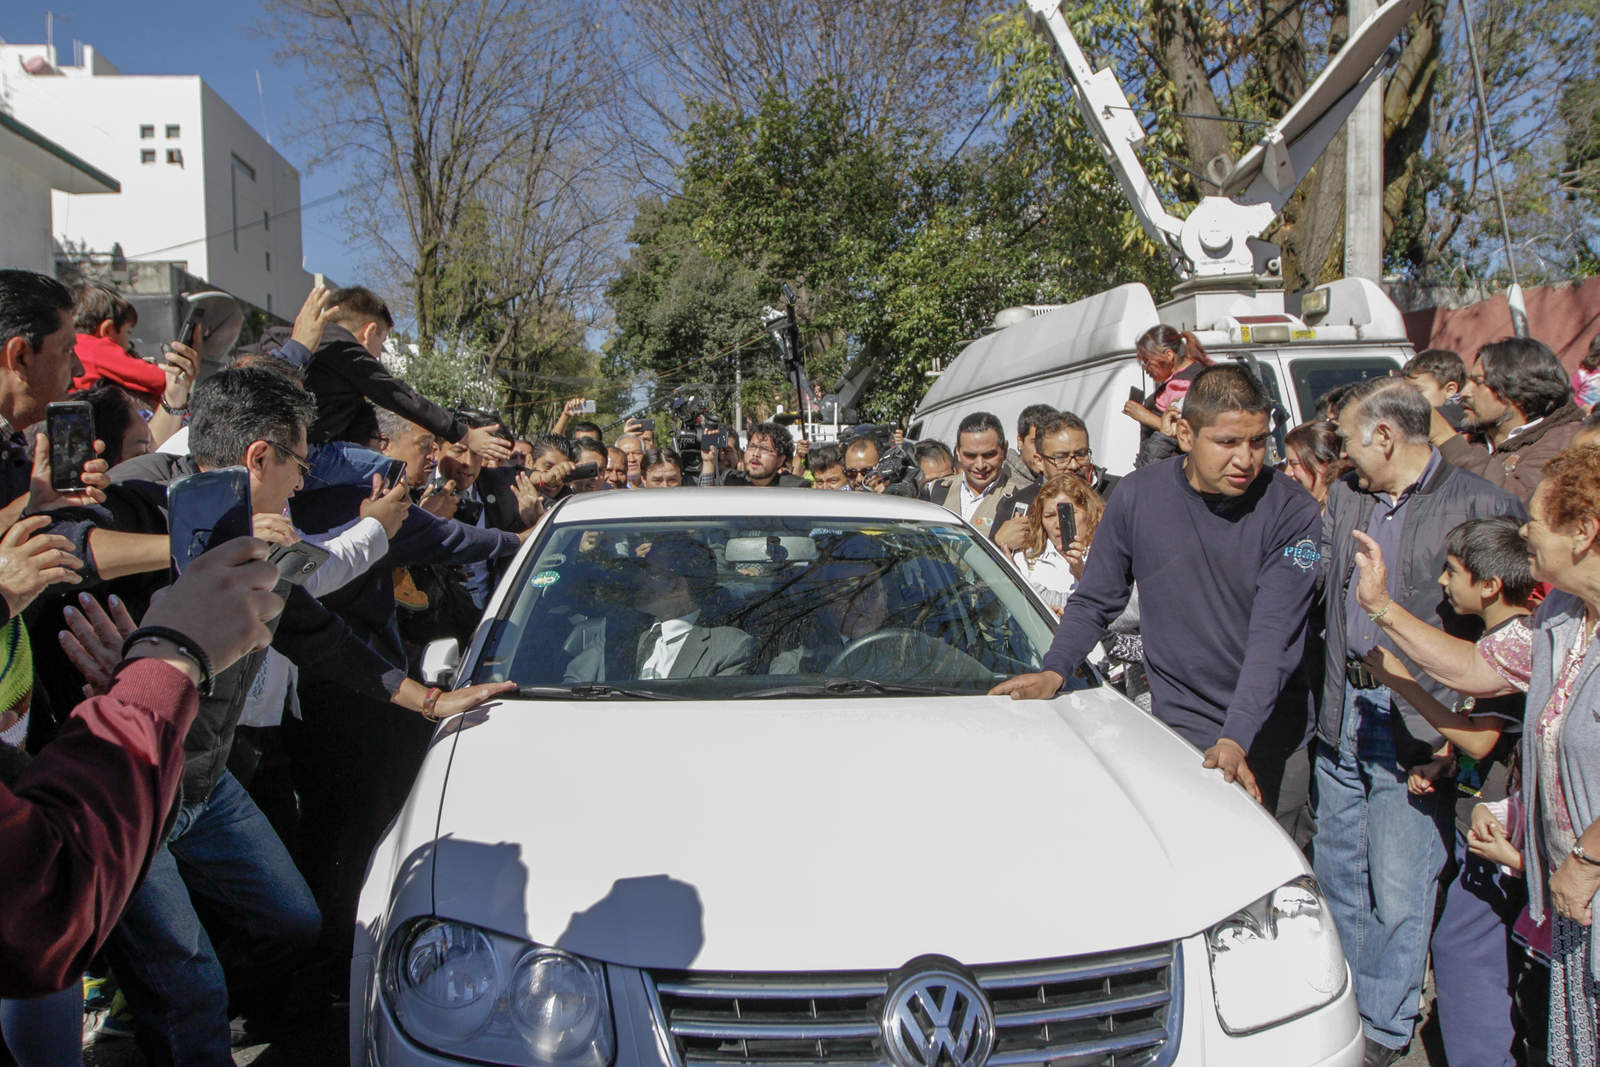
x,y
1378,857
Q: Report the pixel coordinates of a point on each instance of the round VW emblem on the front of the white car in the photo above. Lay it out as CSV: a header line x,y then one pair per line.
x,y
937,1017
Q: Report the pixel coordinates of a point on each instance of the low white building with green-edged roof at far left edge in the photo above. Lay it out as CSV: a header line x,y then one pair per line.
x,y
31,169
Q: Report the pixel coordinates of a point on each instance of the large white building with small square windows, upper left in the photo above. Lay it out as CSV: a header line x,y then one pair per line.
x,y
199,185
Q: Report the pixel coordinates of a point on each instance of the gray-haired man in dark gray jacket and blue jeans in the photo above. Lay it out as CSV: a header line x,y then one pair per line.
x,y
1380,850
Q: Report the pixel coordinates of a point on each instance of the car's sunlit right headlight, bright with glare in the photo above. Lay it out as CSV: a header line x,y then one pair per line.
x,y
1276,961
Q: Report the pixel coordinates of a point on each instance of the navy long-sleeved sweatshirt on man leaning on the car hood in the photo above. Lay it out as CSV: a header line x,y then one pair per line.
x,y
1225,589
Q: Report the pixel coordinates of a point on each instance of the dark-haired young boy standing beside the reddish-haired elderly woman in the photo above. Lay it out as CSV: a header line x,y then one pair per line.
x,y
1487,577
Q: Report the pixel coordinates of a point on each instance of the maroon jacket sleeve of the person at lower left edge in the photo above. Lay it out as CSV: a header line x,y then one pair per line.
x,y
84,821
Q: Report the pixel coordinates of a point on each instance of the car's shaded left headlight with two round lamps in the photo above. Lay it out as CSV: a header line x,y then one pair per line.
x,y
470,993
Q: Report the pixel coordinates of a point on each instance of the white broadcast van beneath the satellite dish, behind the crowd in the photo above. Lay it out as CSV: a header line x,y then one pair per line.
x,y
1079,358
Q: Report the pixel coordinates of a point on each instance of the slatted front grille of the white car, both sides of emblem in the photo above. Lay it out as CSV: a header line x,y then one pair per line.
x,y
1110,1010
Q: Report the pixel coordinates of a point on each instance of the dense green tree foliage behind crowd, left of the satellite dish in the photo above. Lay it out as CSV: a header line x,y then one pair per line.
x,y
898,249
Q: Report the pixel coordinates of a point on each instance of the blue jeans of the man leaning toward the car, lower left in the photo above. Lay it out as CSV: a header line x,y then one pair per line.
x,y
225,853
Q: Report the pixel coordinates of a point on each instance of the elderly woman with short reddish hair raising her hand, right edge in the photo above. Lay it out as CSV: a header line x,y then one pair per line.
x,y
1561,748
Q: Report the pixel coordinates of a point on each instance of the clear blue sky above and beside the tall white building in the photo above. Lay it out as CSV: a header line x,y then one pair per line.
x,y
214,41
